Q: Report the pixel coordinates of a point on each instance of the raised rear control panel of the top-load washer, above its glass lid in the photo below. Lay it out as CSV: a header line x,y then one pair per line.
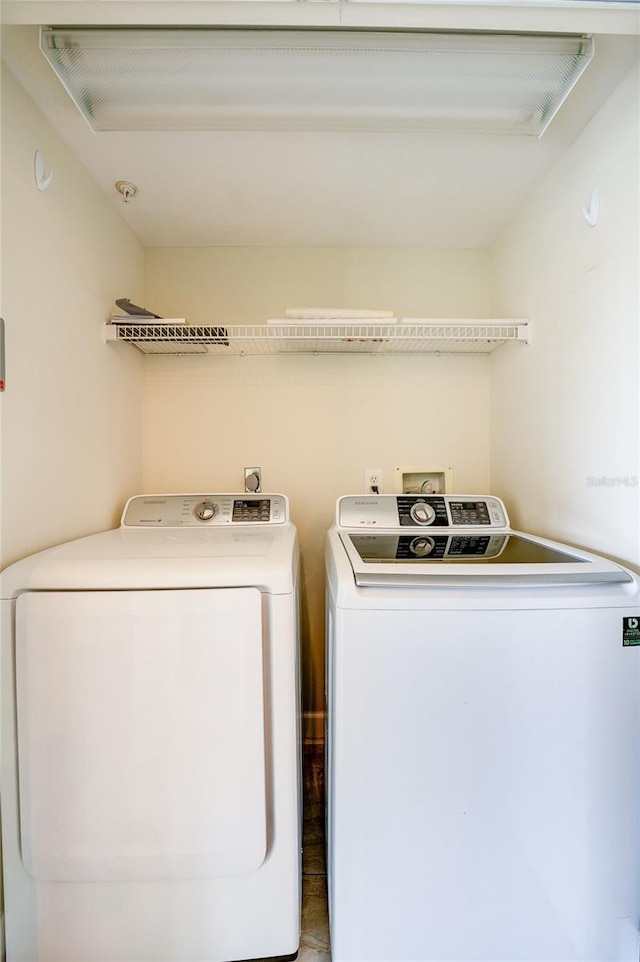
x,y
410,510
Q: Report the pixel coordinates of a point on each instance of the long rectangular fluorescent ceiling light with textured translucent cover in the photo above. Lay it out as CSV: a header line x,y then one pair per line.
x,y
341,80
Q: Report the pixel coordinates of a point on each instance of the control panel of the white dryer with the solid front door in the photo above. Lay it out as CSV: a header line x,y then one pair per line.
x,y
203,510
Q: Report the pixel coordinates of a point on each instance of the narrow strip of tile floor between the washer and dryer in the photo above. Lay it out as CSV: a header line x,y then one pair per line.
x,y
314,944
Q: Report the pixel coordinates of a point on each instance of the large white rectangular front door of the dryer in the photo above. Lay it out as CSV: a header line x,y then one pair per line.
x,y
141,737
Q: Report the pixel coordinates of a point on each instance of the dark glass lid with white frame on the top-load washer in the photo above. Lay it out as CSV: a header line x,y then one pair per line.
x,y
476,556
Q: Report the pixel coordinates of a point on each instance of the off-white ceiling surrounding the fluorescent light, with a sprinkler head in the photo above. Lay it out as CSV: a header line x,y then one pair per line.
x,y
206,188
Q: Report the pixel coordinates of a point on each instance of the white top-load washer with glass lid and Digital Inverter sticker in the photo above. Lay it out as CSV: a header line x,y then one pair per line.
x,y
483,739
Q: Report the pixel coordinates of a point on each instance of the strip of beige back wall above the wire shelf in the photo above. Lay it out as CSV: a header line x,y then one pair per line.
x,y
248,285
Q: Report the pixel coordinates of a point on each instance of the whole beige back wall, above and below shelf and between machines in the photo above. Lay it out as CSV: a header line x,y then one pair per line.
x,y
313,423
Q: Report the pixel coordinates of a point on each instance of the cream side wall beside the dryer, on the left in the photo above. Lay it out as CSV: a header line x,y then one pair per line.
x,y
71,411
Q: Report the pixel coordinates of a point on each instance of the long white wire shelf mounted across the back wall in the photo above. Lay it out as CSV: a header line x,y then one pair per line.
x,y
428,337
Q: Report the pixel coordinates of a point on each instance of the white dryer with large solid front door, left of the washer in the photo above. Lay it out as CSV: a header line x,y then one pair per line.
x,y
151,738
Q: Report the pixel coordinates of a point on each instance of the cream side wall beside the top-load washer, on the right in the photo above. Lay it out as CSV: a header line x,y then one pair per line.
x,y
564,412
